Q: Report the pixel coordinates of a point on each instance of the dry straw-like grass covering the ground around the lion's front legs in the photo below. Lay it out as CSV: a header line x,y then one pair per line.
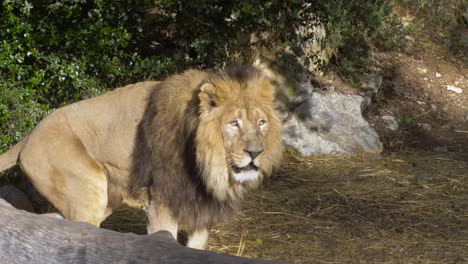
x,y
410,208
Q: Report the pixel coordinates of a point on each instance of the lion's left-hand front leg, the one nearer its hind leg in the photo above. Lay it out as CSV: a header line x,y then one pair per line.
x,y
160,218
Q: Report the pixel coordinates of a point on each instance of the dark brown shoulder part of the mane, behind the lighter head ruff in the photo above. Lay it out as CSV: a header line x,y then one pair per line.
x,y
164,159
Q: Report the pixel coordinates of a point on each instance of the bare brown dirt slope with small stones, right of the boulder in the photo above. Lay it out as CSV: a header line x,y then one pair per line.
x,y
414,91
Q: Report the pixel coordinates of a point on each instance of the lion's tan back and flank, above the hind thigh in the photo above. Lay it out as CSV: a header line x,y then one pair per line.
x,y
106,125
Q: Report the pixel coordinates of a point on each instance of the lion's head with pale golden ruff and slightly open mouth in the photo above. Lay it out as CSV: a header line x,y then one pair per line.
x,y
238,137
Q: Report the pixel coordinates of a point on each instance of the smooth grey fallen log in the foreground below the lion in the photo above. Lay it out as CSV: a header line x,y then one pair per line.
x,y
31,238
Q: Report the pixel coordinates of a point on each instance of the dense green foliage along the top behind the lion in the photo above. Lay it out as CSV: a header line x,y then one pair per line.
x,y
56,52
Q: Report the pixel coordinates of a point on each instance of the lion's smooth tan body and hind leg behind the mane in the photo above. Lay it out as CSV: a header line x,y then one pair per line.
x,y
79,156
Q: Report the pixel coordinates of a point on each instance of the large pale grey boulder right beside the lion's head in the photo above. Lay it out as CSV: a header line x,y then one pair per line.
x,y
329,123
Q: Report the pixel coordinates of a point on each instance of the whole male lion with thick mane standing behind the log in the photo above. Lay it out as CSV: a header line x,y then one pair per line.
x,y
189,146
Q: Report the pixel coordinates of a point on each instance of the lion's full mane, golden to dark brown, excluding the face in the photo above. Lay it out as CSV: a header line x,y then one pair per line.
x,y
180,154
